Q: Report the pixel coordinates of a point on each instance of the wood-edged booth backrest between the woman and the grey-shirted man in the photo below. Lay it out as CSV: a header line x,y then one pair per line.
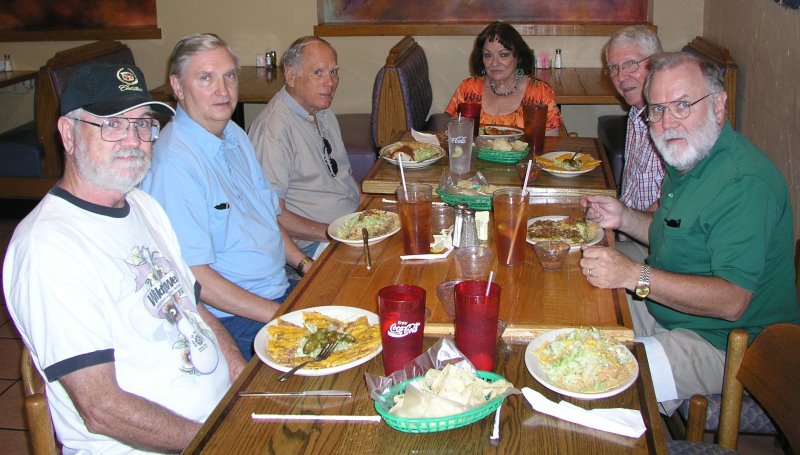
x,y
402,95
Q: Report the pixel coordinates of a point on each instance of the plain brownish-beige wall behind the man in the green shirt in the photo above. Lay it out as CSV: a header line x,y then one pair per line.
x,y
768,92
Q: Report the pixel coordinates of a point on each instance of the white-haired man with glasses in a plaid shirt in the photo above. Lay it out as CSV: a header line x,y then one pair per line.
x,y
627,53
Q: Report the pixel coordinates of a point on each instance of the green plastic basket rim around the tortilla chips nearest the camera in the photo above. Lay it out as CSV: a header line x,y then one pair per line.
x,y
439,423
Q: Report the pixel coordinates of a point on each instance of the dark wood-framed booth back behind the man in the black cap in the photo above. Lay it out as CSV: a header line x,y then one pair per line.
x,y
50,82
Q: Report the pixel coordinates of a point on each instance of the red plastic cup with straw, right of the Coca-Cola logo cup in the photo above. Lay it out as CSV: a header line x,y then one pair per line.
x,y
476,322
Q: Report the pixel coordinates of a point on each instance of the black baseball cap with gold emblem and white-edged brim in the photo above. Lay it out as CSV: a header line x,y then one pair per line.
x,y
108,90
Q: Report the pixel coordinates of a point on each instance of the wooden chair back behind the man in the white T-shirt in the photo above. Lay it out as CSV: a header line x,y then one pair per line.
x,y
37,412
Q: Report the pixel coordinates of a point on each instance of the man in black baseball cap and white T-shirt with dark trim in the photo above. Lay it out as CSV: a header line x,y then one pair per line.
x,y
95,282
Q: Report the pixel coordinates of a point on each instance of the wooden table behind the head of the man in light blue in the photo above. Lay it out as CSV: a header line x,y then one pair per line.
x,y
256,85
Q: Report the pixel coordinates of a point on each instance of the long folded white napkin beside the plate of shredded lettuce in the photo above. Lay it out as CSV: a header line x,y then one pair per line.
x,y
625,422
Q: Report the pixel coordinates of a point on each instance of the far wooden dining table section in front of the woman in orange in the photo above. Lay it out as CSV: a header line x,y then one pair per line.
x,y
384,177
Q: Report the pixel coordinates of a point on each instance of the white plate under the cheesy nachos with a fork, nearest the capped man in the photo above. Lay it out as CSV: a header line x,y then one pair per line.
x,y
342,313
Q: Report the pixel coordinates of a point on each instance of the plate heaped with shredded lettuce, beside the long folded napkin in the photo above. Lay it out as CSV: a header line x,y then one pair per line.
x,y
581,363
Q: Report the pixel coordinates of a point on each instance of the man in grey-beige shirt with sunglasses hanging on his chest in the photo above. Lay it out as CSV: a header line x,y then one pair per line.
x,y
299,144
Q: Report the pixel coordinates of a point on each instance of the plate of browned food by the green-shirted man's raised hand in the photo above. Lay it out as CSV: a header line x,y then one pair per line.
x,y
575,231
